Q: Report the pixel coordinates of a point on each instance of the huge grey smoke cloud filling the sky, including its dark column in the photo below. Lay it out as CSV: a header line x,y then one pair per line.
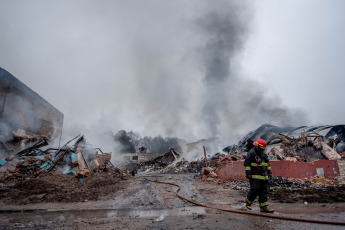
x,y
169,68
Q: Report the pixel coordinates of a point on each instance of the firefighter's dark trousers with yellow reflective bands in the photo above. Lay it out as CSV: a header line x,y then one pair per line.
x,y
258,188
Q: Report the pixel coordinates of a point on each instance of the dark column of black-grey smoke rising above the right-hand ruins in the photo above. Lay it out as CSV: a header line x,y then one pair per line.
x,y
232,101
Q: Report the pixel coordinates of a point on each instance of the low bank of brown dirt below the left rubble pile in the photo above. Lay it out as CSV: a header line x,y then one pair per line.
x,y
62,188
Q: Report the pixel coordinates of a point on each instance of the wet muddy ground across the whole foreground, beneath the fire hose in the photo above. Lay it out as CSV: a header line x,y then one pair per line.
x,y
111,201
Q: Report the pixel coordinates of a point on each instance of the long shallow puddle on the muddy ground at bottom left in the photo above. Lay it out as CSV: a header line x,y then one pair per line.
x,y
49,216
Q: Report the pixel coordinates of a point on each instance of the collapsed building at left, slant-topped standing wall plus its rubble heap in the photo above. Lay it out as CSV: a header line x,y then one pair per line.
x,y
27,123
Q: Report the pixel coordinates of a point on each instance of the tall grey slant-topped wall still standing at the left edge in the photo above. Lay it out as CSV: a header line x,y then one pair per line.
x,y
23,110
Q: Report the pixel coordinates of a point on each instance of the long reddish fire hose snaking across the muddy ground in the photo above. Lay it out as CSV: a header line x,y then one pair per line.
x,y
248,213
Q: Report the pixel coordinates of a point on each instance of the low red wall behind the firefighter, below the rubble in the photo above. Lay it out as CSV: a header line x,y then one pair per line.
x,y
286,169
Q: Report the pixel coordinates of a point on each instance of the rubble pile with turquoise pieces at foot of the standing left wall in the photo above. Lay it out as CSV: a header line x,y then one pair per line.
x,y
33,162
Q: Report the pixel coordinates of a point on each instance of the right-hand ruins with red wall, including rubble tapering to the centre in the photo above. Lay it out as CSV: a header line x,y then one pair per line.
x,y
302,154
